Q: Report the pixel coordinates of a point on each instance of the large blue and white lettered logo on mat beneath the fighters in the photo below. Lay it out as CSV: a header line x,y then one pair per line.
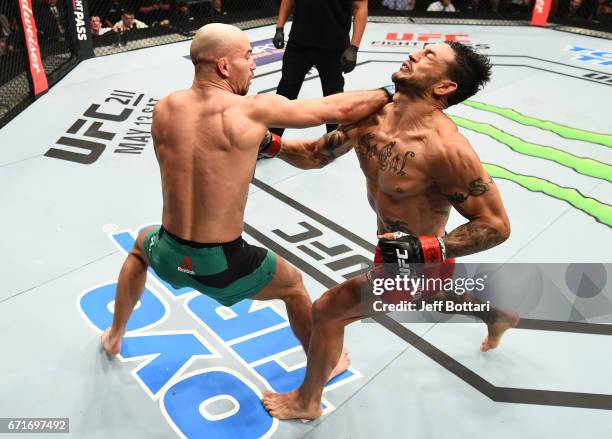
x,y
255,335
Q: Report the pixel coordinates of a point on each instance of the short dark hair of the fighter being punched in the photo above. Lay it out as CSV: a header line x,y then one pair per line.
x,y
471,71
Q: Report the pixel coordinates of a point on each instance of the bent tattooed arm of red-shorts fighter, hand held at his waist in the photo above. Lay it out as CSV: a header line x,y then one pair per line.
x,y
465,183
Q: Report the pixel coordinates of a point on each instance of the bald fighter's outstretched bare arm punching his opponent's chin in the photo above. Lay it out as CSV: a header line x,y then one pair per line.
x,y
277,111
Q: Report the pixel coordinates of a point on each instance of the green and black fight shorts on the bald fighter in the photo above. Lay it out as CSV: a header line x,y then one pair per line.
x,y
227,272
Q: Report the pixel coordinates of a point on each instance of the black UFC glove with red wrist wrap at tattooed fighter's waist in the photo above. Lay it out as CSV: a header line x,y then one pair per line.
x,y
399,255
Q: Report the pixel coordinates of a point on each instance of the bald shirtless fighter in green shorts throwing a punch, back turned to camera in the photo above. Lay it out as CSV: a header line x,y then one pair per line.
x,y
207,140
